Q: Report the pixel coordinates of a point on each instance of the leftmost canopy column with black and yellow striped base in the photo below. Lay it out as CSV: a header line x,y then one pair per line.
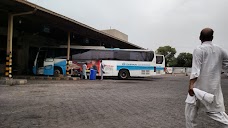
x,y
8,71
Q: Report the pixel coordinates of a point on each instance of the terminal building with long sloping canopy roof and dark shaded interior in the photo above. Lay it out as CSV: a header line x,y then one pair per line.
x,y
26,26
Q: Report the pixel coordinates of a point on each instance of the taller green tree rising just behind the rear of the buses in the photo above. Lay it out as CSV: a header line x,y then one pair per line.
x,y
168,52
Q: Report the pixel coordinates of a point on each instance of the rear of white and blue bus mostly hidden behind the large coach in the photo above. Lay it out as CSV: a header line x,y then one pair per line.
x,y
160,64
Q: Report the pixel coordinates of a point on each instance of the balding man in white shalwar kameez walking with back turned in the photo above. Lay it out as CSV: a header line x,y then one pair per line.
x,y
206,76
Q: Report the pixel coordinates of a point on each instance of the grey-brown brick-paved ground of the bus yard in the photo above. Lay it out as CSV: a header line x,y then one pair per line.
x,y
137,103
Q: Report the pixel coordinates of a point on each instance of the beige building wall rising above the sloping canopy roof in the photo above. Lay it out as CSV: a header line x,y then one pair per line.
x,y
117,34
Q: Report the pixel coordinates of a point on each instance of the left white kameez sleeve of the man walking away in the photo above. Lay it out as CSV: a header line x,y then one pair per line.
x,y
197,58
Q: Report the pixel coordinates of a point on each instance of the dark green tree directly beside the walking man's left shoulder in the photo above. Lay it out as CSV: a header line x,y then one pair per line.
x,y
184,59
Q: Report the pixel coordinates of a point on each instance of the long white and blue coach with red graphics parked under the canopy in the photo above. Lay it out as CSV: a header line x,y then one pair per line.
x,y
123,63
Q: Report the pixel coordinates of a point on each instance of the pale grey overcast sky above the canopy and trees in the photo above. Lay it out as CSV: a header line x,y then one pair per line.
x,y
151,23
